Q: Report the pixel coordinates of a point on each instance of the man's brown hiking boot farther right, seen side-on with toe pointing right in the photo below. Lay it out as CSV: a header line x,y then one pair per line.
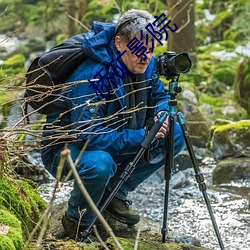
x,y
121,211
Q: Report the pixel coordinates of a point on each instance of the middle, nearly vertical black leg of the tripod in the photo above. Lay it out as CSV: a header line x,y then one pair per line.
x,y
168,173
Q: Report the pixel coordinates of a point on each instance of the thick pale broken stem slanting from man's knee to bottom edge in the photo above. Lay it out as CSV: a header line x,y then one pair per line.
x,y
66,154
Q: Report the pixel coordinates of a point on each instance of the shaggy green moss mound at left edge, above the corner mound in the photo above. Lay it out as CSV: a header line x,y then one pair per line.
x,y
22,200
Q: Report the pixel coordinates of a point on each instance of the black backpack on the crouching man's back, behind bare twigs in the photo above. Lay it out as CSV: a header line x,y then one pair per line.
x,y
48,73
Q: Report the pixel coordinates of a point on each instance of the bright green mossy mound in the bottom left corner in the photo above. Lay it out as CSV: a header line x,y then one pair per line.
x,y
10,231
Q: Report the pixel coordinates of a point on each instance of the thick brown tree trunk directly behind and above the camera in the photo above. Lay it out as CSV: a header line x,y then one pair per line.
x,y
183,15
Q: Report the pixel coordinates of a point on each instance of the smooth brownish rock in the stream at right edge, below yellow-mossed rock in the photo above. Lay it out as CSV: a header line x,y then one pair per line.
x,y
231,169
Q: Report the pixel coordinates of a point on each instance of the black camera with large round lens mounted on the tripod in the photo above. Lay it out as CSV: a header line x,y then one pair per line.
x,y
172,65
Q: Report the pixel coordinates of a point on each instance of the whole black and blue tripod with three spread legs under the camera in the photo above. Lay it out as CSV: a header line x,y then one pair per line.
x,y
173,90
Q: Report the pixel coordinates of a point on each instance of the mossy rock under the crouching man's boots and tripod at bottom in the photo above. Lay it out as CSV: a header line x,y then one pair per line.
x,y
150,235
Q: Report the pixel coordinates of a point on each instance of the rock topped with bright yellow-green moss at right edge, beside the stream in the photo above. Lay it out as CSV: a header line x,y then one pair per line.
x,y
232,139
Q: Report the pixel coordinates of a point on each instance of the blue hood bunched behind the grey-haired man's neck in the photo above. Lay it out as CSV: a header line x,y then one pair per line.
x,y
98,43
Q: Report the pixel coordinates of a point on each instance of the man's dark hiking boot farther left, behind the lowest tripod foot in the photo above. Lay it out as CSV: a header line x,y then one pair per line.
x,y
75,231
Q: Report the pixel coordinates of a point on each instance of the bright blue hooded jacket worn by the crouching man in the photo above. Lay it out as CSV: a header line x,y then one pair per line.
x,y
106,132
